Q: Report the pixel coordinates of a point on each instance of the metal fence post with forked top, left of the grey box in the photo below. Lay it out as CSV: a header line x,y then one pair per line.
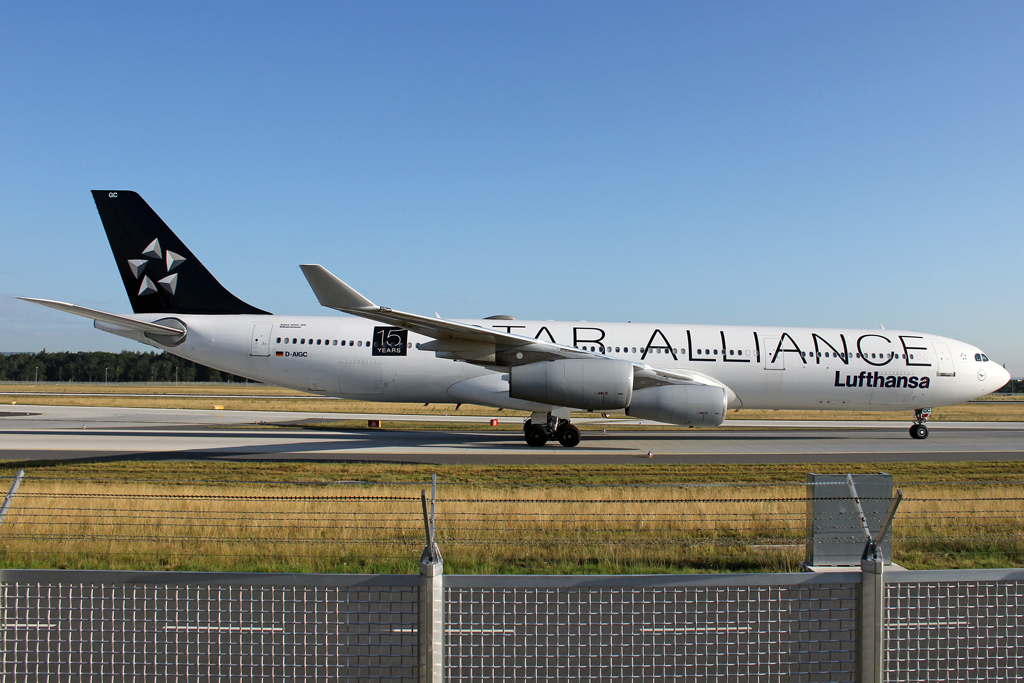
x,y
432,627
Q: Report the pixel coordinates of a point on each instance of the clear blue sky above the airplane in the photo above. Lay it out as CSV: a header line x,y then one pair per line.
x,y
795,164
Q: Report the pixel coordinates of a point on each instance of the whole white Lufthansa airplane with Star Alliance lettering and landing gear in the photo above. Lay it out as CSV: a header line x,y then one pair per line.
x,y
687,375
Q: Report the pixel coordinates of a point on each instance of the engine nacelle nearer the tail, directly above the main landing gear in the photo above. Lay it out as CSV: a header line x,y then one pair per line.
x,y
592,385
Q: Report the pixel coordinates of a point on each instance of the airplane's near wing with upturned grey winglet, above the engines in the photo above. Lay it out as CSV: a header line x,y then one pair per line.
x,y
473,344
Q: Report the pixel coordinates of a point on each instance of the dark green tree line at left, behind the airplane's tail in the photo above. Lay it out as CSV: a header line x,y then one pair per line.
x,y
103,366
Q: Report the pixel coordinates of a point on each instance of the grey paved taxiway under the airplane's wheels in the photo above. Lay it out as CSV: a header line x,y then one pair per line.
x,y
42,433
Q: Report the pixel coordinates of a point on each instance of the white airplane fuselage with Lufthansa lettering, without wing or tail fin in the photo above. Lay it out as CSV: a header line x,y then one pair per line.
x,y
764,368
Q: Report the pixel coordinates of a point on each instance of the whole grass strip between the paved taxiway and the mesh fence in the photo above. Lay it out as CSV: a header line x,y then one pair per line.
x,y
581,520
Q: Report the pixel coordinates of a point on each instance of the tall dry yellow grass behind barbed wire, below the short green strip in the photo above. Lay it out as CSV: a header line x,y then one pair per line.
x,y
366,528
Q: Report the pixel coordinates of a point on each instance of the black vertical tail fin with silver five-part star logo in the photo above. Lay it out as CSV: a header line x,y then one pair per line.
x,y
160,274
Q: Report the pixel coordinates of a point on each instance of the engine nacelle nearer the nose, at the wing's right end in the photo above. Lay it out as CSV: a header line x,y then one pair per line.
x,y
680,405
